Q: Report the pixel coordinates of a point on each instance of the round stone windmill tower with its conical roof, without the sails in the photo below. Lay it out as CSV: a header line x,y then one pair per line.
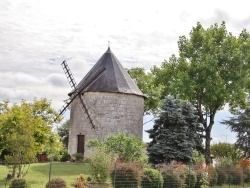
x,y
113,104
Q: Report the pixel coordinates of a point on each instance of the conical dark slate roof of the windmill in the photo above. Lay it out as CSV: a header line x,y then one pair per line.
x,y
115,79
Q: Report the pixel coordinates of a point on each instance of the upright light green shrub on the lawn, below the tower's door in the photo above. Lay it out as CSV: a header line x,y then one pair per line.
x,y
100,161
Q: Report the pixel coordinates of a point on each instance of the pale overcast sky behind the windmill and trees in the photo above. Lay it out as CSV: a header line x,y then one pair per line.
x,y
37,35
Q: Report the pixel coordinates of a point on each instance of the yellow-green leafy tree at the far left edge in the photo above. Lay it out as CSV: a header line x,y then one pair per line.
x,y
25,130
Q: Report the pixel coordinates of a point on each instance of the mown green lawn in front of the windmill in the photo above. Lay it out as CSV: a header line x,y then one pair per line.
x,y
38,174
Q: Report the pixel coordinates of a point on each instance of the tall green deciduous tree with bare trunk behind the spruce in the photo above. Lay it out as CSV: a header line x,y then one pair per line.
x,y
212,70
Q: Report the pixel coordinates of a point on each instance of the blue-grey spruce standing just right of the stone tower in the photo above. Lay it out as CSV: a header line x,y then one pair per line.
x,y
175,133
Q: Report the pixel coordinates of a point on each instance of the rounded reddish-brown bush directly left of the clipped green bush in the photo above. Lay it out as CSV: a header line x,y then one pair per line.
x,y
126,175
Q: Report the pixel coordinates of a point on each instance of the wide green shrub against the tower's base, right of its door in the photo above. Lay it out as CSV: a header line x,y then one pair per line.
x,y
125,148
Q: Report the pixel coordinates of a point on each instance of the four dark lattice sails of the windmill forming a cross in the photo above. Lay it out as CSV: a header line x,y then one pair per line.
x,y
77,92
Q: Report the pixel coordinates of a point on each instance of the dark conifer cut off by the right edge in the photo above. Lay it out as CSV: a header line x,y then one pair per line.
x,y
240,124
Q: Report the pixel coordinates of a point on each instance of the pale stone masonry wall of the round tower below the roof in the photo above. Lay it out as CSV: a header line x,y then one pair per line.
x,y
112,113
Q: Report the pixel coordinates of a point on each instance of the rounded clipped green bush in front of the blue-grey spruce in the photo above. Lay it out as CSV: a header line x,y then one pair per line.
x,y
151,178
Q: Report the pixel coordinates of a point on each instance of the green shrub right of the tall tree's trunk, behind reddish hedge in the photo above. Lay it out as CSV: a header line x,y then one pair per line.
x,y
225,154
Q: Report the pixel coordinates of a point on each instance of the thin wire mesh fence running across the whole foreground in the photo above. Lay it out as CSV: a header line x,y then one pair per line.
x,y
166,176
